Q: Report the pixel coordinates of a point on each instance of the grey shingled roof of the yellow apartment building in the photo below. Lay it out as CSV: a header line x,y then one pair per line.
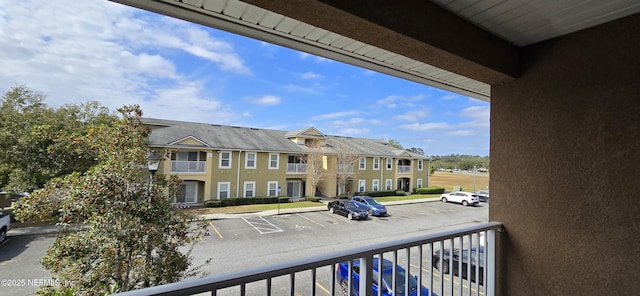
x,y
169,133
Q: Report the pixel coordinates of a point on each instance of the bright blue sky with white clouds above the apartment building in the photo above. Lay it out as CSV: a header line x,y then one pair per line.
x,y
95,50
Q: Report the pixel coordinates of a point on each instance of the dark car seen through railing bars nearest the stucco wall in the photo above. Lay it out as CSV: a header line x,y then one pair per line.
x,y
477,255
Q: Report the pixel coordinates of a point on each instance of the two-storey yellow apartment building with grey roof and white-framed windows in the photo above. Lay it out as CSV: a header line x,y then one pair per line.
x,y
218,161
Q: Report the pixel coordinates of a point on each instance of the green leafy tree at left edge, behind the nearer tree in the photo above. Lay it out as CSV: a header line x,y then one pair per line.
x,y
39,142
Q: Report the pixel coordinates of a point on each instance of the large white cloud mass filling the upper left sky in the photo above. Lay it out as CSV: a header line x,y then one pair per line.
x,y
103,51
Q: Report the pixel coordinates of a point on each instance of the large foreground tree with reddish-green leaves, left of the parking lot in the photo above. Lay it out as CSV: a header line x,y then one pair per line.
x,y
119,231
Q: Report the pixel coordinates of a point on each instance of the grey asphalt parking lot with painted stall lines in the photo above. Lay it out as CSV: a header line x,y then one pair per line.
x,y
256,240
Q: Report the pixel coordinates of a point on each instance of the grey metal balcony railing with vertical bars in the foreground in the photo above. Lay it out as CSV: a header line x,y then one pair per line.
x,y
417,255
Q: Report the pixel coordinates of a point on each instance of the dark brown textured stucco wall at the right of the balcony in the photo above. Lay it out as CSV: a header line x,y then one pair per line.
x,y
565,152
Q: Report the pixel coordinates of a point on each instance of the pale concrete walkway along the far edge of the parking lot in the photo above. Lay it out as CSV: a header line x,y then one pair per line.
x,y
52,229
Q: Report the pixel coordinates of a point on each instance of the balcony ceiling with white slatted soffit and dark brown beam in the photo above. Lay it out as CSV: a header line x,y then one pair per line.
x,y
306,25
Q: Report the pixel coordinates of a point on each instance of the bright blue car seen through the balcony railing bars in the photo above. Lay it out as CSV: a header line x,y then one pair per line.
x,y
342,276
